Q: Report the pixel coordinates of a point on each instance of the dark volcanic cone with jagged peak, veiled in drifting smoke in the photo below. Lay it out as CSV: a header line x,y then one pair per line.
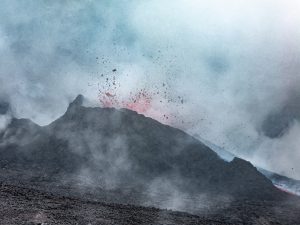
x,y
121,149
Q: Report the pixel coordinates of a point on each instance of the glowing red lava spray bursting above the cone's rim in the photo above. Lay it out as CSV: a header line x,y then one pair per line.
x,y
145,101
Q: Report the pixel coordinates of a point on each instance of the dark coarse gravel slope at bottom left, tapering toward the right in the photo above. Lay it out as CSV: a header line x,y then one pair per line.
x,y
28,206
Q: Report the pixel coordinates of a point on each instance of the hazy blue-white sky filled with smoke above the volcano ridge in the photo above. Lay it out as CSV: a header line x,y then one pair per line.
x,y
227,71
